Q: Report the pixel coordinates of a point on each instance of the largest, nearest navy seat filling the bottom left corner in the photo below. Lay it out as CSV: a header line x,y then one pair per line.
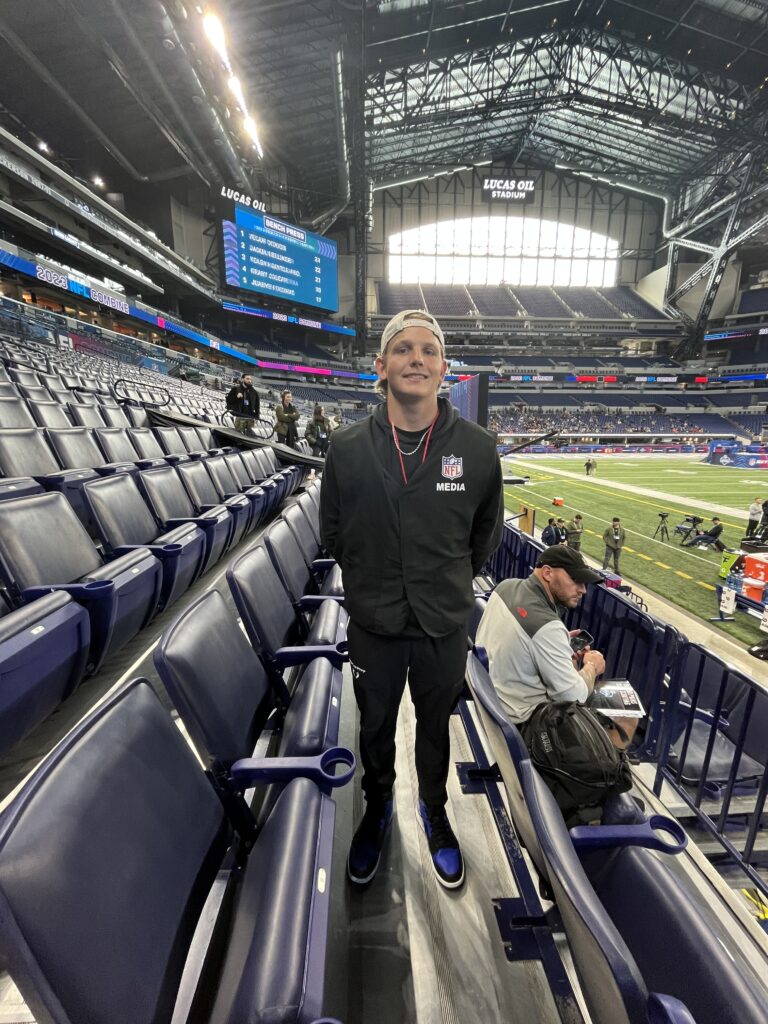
x,y
123,798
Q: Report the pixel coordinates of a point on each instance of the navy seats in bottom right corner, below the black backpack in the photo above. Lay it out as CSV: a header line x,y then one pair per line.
x,y
618,889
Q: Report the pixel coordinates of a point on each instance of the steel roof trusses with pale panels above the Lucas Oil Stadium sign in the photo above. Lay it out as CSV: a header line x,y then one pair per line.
x,y
576,97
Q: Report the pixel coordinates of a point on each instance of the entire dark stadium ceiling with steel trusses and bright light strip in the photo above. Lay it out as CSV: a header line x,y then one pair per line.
x,y
666,97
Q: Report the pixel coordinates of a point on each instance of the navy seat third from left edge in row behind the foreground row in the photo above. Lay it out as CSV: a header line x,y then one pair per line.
x,y
124,524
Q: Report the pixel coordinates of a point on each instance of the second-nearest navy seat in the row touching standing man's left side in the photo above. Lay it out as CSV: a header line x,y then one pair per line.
x,y
241,713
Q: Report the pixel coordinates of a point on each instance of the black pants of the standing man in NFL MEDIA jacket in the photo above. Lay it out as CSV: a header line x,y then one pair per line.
x,y
435,667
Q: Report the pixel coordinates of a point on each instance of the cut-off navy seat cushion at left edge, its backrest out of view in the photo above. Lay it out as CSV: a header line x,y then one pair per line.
x,y
44,655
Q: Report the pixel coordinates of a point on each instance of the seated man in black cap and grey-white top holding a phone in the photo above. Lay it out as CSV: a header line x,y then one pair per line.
x,y
530,657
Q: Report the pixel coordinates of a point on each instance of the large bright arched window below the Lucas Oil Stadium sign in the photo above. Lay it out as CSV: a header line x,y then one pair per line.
x,y
495,250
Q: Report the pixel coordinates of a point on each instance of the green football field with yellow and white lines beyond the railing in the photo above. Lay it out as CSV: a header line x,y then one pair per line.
x,y
666,484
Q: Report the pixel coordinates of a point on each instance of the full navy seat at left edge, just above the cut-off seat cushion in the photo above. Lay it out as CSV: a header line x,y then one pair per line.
x,y
45,547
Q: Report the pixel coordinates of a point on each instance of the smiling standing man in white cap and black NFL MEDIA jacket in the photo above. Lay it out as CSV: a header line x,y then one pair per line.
x,y
411,507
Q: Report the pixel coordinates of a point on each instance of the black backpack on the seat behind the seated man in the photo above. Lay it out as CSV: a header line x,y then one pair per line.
x,y
573,752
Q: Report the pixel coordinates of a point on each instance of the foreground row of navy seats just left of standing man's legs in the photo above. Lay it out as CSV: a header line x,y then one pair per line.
x,y
138,888
